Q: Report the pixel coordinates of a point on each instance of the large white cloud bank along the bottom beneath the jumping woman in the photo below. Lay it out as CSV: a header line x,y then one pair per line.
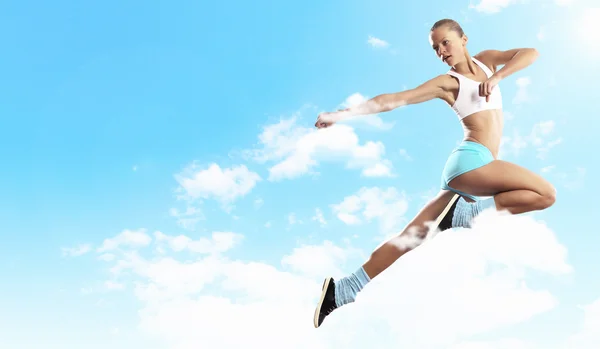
x,y
479,274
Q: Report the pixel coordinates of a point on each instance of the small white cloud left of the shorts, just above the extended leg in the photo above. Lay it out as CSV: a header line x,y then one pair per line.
x,y
386,205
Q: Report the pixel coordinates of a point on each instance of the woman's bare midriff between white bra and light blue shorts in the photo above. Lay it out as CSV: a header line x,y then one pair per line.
x,y
485,127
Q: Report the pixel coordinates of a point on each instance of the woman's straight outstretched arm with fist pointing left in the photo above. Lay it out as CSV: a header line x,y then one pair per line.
x,y
434,88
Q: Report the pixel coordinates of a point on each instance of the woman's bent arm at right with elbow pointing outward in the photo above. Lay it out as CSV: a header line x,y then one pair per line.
x,y
513,60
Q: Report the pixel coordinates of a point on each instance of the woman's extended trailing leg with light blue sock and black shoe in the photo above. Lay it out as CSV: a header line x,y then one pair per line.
x,y
343,291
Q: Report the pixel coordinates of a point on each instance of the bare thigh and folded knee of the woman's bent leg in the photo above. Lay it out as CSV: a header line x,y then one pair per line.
x,y
515,188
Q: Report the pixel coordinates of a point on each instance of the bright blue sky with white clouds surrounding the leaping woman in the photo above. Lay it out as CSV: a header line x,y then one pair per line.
x,y
122,120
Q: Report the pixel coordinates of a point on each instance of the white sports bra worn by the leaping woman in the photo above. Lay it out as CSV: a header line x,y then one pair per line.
x,y
468,101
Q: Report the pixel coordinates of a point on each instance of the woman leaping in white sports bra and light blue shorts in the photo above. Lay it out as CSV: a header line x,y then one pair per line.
x,y
471,89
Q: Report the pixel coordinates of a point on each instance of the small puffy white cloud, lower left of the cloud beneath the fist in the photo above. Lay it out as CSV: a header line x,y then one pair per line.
x,y
225,185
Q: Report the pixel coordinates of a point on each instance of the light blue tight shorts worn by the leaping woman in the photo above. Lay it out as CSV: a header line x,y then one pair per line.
x,y
464,158
